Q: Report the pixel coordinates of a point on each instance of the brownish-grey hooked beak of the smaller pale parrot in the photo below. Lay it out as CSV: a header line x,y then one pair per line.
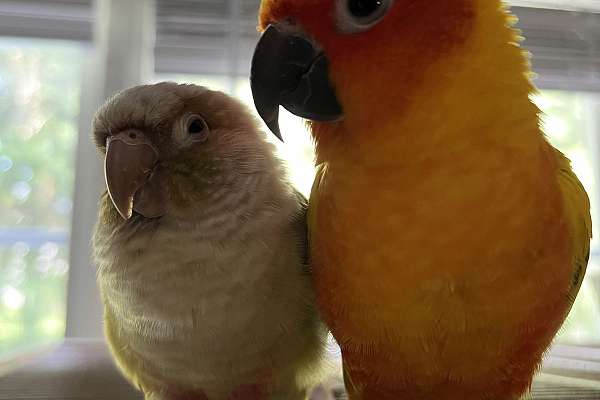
x,y
129,163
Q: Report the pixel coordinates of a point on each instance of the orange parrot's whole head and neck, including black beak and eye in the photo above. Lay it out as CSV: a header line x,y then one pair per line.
x,y
398,72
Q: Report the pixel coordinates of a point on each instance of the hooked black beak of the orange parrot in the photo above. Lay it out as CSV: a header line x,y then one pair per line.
x,y
289,70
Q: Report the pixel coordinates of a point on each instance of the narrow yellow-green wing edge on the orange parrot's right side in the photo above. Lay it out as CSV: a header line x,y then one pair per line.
x,y
580,221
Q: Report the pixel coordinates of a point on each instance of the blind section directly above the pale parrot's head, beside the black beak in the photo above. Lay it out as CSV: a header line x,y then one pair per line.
x,y
206,36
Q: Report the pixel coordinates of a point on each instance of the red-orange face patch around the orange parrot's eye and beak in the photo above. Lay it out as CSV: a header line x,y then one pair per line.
x,y
376,70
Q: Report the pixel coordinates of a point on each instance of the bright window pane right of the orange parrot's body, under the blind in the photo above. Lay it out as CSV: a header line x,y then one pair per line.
x,y
570,126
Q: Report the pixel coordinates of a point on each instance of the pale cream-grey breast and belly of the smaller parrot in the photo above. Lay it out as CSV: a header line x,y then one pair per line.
x,y
212,313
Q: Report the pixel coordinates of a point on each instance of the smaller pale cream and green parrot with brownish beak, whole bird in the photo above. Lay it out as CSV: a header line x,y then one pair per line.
x,y
201,251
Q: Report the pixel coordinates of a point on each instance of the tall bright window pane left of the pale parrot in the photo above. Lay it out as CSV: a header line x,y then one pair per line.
x,y
39,103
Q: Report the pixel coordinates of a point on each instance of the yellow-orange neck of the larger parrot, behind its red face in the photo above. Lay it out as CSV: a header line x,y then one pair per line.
x,y
477,96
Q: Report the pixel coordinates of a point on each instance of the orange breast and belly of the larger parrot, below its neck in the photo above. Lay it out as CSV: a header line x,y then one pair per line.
x,y
443,273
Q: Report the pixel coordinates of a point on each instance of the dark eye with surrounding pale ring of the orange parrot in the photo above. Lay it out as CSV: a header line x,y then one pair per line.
x,y
353,16
